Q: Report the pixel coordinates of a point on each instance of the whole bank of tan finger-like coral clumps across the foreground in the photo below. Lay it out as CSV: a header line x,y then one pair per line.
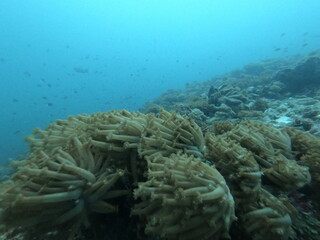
x,y
160,167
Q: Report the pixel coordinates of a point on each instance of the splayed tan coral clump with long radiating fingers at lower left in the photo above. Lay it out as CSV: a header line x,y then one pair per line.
x,y
59,191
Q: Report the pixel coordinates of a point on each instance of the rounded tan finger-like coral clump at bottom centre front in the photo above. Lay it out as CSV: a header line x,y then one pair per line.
x,y
184,199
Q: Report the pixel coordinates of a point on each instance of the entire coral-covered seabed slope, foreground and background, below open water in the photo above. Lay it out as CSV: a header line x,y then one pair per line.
x,y
222,159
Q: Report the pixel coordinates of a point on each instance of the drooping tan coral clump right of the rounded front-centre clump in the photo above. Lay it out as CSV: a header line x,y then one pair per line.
x,y
258,144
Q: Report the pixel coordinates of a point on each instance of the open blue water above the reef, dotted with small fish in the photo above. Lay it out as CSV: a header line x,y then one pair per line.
x,y
64,57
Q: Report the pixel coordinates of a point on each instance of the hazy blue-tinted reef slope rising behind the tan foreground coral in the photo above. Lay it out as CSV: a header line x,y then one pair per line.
x,y
283,92
